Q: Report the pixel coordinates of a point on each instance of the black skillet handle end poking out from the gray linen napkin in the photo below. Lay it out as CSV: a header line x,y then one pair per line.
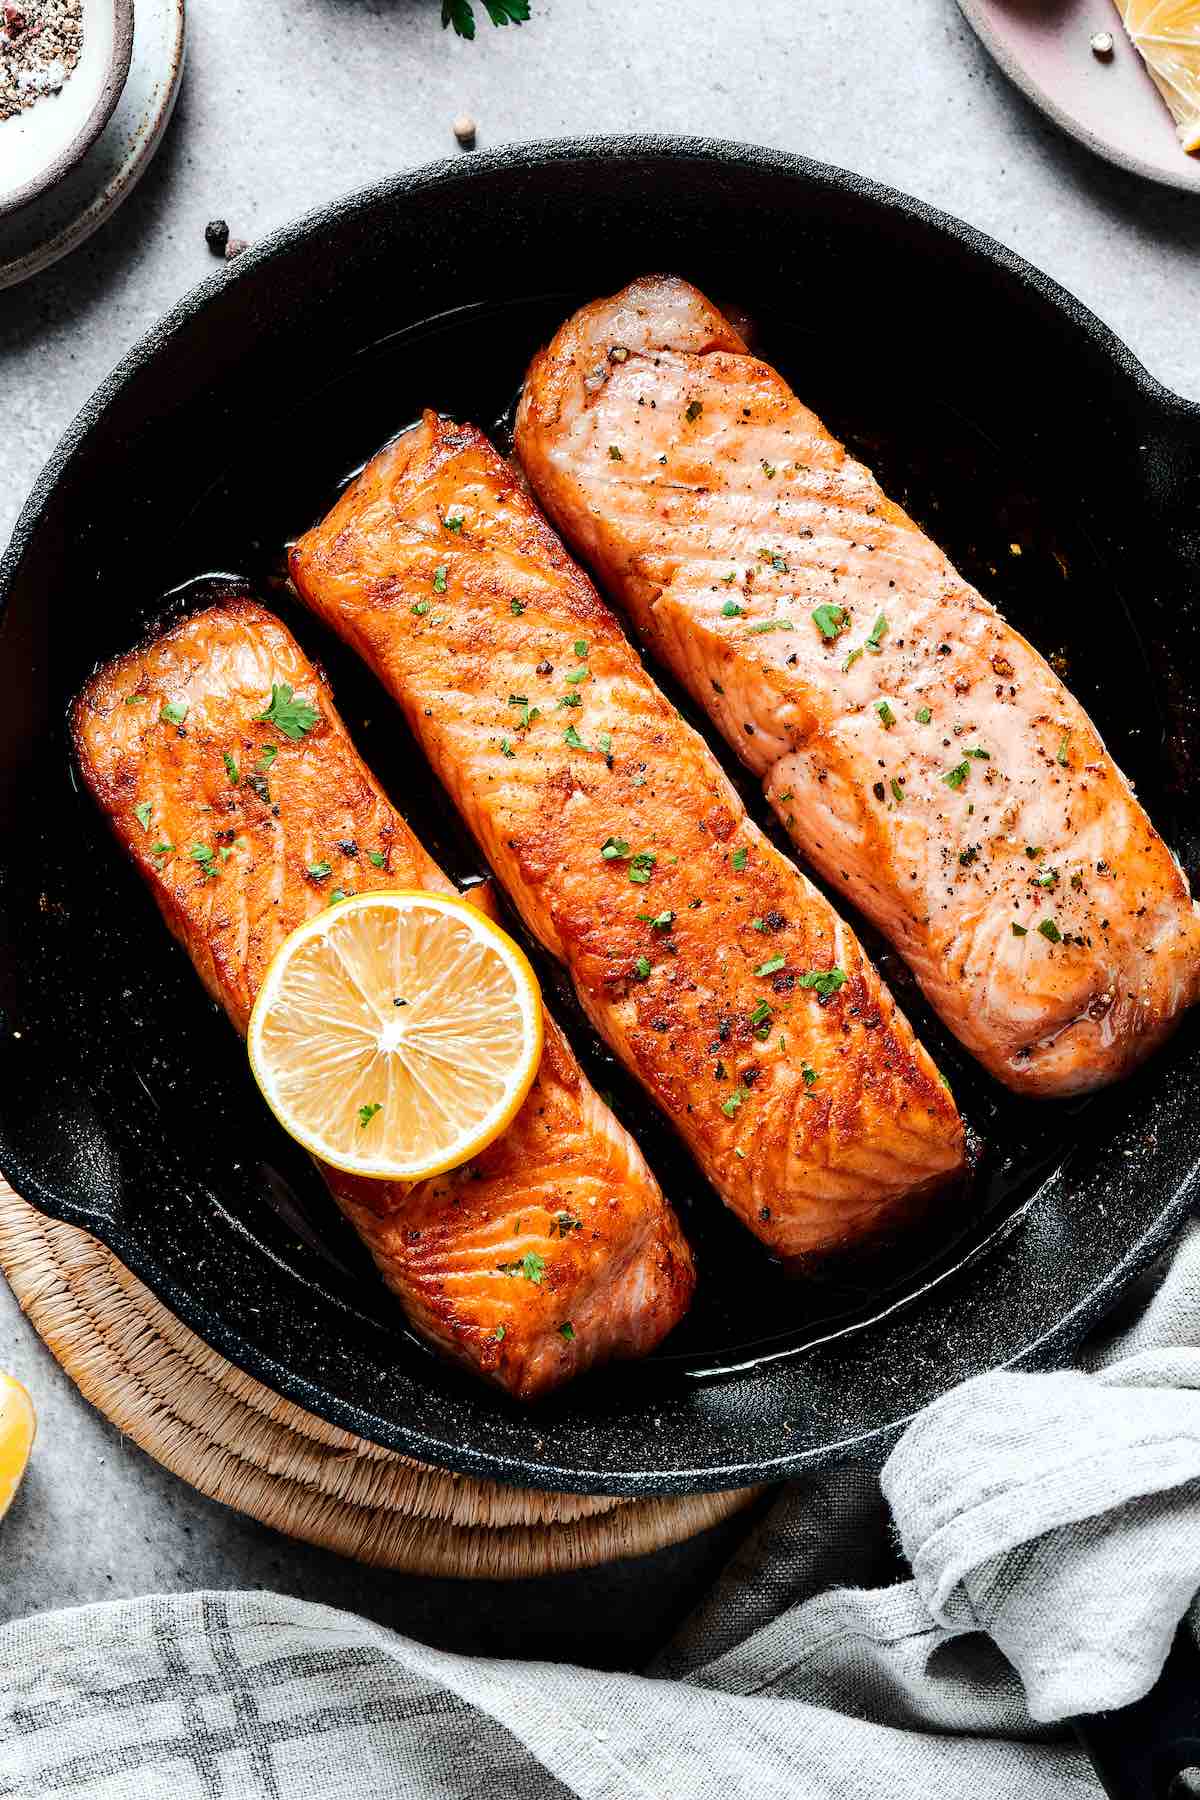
x,y
1142,1750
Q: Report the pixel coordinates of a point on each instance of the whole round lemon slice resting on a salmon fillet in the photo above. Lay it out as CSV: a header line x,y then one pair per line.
x,y
397,1034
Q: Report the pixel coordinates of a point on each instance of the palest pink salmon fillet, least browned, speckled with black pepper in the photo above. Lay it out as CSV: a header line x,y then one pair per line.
x,y
922,755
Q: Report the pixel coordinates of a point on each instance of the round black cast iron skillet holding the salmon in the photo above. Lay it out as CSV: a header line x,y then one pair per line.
x,y
996,408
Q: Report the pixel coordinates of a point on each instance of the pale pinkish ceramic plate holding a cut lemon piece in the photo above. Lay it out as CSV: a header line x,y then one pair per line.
x,y
1111,105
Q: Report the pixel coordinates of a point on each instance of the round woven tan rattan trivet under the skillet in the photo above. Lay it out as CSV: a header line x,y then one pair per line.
x,y
238,1443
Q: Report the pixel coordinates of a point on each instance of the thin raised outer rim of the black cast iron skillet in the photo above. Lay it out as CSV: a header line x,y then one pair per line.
x,y
528,159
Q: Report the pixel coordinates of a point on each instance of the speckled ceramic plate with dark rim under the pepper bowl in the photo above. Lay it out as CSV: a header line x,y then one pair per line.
x,y
93,188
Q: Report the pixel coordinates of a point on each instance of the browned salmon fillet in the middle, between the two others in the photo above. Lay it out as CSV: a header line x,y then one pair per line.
x,y
715,971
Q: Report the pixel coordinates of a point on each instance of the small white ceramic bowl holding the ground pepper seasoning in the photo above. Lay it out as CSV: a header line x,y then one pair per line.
x,y
40,145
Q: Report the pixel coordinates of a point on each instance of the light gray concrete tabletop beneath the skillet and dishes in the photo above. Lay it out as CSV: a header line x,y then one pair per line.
x,y
292,102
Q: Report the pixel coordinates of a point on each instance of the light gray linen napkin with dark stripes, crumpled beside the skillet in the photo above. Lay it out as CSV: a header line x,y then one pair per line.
x,y
1052,1524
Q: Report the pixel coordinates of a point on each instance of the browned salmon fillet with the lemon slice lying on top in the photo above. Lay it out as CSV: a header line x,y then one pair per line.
x,y
555,1248
